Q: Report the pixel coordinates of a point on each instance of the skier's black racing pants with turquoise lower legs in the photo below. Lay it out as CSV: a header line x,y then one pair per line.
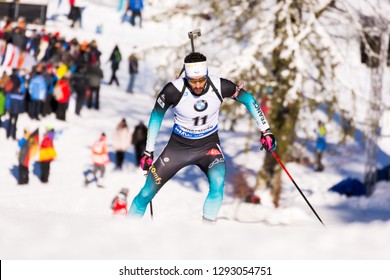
x,y
181,152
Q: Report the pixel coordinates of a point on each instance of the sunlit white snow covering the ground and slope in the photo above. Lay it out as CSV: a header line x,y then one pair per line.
x,y
64,220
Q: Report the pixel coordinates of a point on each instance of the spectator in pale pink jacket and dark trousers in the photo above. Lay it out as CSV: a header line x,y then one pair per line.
x,y
121,142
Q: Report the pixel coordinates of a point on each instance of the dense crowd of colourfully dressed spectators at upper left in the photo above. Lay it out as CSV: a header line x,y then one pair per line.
x,y
60,68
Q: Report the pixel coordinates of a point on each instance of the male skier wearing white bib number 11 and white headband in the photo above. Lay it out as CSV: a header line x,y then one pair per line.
x,y
195,100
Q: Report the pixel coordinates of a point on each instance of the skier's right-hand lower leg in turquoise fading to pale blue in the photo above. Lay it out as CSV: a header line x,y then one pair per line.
x,y
213,202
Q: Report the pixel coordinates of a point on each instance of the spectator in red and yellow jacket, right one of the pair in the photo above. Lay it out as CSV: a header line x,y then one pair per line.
x,y
47,154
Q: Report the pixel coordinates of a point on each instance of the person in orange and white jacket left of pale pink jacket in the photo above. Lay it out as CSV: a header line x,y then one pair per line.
x,y
100,158
